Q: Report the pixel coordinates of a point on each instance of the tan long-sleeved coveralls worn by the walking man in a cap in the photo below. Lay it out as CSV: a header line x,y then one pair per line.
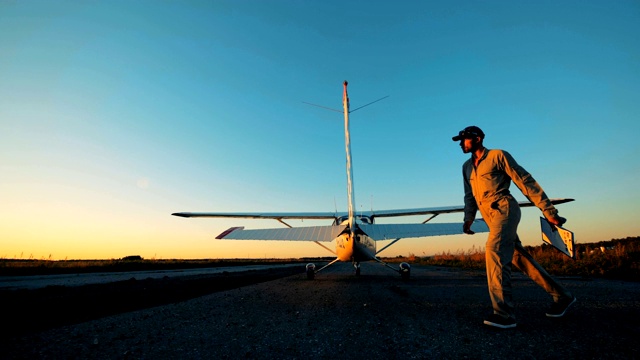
x,y
486,188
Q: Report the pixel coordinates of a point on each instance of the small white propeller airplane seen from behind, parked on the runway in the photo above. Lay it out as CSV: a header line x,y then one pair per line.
x,y
355,235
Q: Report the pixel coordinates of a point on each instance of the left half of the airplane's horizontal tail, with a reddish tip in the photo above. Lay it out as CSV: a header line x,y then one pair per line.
x,y
311,233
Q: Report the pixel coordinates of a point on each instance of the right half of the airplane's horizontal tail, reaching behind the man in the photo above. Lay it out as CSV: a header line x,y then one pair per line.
x,y
396,231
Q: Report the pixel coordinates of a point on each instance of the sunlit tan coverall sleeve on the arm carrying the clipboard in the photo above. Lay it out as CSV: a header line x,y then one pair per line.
x,y
528,185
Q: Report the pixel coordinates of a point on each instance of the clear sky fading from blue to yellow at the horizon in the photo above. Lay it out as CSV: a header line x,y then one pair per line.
x,y
115,114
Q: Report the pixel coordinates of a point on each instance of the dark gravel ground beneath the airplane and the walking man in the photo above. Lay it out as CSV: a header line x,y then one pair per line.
x,y
436,314
